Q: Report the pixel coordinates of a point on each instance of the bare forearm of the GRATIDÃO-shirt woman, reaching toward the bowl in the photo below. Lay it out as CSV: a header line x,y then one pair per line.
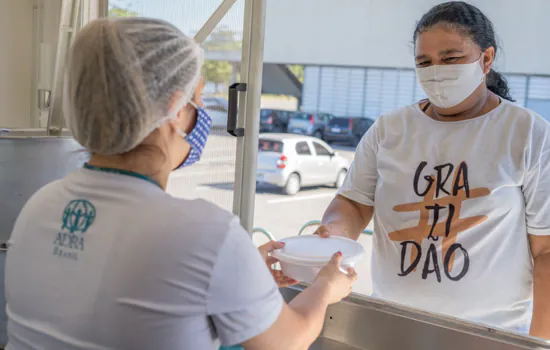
x,y
346,217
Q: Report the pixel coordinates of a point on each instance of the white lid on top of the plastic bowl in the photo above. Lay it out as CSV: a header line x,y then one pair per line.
x,y
312,249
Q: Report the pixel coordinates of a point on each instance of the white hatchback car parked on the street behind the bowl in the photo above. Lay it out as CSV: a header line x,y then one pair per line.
x,y
293,161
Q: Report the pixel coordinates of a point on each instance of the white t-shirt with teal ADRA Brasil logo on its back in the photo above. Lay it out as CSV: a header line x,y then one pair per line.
x,y
110,261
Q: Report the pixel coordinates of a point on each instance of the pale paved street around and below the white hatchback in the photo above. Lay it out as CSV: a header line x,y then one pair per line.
x,y
281,215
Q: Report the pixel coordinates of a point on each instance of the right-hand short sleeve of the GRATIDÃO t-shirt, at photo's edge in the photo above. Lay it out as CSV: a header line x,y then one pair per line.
x,y
536,185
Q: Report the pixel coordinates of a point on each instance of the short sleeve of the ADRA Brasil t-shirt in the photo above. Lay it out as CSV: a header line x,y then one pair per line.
x,y
243,298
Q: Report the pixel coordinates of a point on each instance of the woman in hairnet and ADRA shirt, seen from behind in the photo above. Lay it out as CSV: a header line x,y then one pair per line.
x,y
105,259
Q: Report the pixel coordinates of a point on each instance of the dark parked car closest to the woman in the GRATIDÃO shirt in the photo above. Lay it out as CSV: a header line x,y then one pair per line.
x,y
347,129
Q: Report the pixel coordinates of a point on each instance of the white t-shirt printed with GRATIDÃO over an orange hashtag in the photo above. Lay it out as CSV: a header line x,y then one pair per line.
x,y
485,182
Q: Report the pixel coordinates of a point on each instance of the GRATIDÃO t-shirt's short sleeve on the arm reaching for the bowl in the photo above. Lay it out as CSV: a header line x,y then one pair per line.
x,y
360,183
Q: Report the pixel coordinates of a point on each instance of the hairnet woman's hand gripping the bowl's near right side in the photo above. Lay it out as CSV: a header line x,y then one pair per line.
x,y
336,284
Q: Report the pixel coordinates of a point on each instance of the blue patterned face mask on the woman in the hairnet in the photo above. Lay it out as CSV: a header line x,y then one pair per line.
x,y
197,137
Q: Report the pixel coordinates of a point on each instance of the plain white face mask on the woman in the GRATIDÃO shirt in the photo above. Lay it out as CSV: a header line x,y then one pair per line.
x,y
449,85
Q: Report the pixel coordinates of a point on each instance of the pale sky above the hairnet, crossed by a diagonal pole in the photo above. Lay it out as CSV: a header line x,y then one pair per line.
x,y
187,15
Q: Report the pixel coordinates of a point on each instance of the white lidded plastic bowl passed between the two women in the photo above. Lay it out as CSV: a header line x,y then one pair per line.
x,y
304,256
